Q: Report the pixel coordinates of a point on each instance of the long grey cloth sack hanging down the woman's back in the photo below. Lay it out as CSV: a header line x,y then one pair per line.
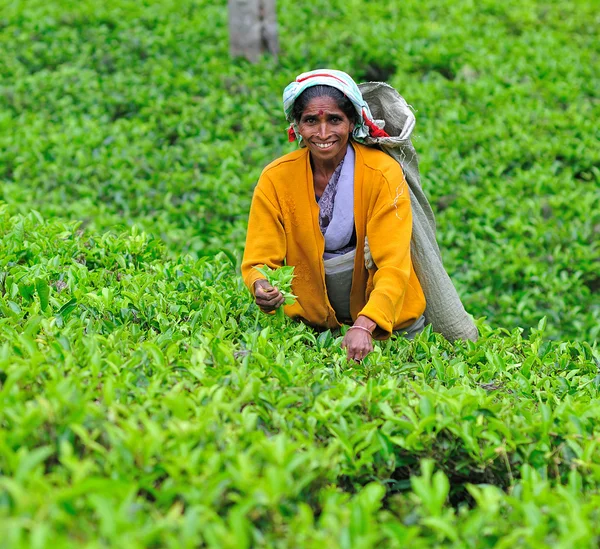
x,y
444,311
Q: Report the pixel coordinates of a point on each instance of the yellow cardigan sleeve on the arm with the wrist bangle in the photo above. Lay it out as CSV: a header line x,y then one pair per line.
x,y
389,230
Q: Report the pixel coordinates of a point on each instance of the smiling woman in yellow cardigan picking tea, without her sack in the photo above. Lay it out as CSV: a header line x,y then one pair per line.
x,y
318,207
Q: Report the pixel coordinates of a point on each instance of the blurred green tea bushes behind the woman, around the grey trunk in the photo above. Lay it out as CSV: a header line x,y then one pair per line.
x,y
125,112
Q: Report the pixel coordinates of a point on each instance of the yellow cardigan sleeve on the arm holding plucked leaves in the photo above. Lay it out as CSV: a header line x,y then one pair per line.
x,y
265,239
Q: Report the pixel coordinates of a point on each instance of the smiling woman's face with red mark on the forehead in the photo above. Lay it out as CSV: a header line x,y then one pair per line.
x,y
325,129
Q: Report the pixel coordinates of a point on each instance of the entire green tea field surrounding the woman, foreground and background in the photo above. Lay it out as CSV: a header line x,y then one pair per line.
x,y
146,402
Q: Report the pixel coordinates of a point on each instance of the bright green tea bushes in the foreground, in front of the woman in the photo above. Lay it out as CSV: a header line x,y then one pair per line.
x,y
147,402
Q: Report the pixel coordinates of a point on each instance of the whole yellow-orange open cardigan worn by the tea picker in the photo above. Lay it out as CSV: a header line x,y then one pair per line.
x,y
283,228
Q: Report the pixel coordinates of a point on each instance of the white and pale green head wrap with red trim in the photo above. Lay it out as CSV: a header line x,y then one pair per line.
x,y
365,125
